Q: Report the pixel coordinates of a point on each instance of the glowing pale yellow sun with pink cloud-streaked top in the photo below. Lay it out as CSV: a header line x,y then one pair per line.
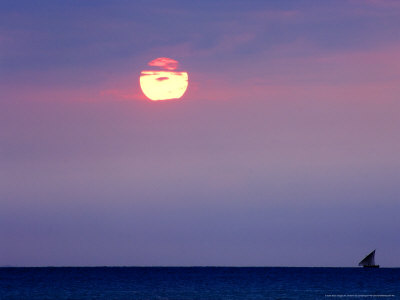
x,y
163,85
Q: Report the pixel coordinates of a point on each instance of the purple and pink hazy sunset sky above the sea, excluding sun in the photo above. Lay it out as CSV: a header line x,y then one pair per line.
x,y
284,150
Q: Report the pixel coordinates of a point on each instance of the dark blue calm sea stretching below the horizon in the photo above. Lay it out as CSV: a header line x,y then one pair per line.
x,y
198,283
